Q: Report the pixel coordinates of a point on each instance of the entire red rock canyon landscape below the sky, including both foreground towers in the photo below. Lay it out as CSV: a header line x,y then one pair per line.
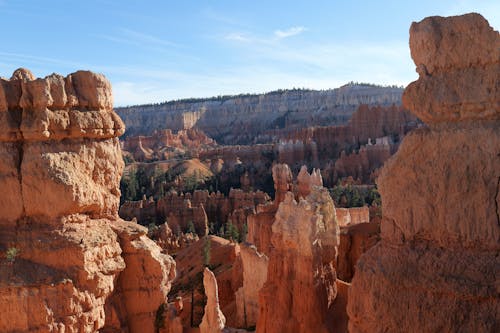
x,y
258,213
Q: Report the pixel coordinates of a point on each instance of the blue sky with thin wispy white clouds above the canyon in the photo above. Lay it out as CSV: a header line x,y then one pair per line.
x,y
154,51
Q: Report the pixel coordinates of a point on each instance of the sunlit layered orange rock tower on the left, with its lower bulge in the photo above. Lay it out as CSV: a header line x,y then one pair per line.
x,y
65,249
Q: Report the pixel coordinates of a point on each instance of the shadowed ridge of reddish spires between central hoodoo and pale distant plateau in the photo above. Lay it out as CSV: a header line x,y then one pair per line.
x,y
356,149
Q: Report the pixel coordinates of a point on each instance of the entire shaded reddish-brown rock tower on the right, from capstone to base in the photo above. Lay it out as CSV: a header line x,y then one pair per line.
x,y
437,266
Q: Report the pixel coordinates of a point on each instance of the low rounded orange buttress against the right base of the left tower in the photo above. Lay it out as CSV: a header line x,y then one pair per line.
x,y
142,287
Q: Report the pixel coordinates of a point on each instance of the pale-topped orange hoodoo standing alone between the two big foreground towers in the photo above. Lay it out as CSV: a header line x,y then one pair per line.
x,y
300,288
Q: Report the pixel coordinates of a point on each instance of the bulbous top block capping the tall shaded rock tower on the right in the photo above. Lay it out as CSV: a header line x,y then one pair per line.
x,y
454,85
